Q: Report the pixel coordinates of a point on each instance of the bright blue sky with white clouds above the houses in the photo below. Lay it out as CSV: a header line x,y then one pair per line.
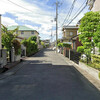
x,y
40,14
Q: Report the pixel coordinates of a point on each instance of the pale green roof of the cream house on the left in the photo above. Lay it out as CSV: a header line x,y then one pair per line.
x,y
21,28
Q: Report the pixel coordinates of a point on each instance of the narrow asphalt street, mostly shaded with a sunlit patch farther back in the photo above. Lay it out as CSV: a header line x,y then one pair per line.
x,y
46,76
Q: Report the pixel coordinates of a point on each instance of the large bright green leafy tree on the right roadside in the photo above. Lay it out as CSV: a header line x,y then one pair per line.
x,y
90,24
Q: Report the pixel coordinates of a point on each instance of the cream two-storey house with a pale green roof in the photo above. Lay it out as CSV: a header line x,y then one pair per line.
x,y
24,32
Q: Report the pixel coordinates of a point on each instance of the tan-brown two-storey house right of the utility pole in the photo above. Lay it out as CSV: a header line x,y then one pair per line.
x,y
69,32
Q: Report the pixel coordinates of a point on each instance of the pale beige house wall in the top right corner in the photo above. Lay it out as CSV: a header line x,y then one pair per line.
x,y
94,5
